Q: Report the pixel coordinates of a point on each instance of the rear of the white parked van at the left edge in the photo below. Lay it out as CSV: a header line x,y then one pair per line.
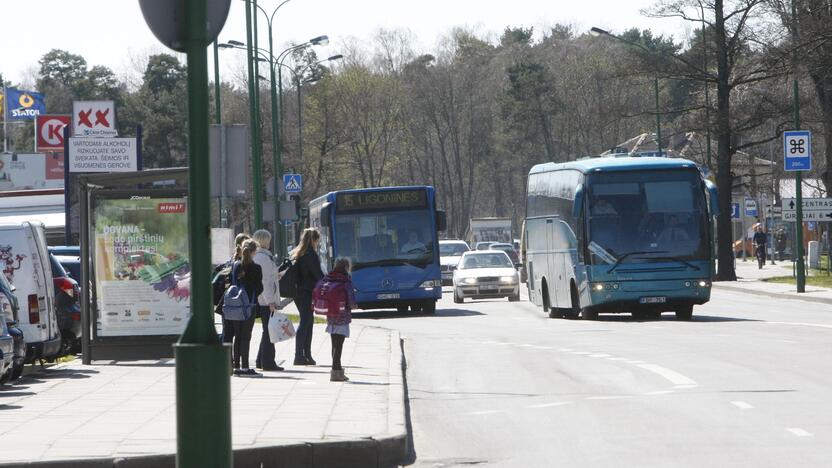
x,y
18,261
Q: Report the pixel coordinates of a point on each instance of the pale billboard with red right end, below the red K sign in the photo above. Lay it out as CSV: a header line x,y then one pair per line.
x,y
31,171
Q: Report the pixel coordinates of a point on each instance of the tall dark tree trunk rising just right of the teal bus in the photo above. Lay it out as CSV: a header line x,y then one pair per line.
x,y
725,235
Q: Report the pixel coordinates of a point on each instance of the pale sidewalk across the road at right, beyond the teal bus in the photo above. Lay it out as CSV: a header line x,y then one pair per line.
x,y
749,280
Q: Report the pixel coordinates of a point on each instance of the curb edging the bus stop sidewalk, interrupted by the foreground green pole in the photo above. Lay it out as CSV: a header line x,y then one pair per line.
x,y
382,451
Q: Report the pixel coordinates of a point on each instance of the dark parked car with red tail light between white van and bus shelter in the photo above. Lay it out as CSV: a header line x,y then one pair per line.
x,y
67,294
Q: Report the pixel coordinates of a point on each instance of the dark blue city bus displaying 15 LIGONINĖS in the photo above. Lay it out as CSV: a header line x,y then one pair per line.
x,y
390,234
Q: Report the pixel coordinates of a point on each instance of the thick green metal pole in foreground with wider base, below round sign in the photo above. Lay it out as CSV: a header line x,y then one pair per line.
x,y
203,387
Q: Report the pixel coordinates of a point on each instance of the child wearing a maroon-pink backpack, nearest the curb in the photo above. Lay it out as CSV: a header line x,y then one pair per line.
x,y
334,297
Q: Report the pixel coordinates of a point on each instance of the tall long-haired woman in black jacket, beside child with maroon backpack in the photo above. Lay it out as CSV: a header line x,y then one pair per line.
x,y
309,272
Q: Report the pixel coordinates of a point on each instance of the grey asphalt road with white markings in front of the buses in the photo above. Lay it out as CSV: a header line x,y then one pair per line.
x,y
747,383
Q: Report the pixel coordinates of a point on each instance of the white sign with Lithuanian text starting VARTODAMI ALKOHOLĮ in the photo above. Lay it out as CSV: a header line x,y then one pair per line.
x,y
102,155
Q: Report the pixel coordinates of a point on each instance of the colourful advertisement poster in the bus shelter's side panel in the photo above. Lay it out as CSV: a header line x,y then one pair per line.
x,y
142,272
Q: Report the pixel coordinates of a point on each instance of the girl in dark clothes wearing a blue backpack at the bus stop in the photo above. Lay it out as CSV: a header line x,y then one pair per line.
x,y
239,302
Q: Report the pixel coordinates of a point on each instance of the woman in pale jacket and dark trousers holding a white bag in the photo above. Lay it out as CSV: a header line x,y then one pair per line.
x,y
268,300
